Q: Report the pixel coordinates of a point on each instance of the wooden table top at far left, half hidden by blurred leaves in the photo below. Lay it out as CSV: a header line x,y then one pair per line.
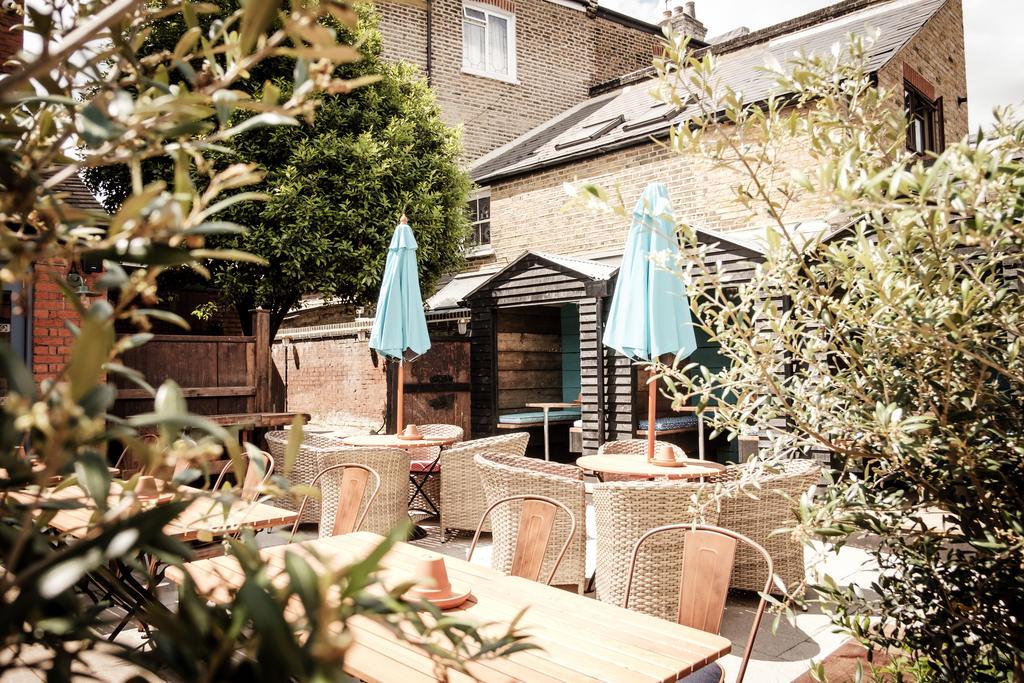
x,y
203,516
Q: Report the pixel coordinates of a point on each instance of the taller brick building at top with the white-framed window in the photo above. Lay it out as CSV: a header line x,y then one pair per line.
x,y
502,67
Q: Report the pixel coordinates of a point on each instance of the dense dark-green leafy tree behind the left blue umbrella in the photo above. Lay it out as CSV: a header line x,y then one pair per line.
x,y
336,184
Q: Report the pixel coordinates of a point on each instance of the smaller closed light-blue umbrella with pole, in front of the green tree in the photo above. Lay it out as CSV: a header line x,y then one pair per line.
x,y
401,326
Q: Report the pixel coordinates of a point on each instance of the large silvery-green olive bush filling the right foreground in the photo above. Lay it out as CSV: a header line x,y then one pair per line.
x,y
904,337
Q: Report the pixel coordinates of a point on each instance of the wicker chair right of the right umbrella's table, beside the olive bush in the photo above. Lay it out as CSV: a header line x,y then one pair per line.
x,y
757,513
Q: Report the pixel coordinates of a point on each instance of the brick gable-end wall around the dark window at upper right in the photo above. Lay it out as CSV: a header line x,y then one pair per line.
x,y
936,54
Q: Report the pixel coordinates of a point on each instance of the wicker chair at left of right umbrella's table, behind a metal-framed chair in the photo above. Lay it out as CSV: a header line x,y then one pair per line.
x,y
506,476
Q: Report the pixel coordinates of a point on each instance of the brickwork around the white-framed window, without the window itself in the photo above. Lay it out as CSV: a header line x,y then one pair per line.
x,y
561,54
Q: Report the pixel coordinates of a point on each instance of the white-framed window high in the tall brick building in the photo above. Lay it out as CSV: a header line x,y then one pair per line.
x,y
488,42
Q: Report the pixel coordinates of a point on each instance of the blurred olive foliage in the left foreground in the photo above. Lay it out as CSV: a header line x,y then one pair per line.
x,y
93,100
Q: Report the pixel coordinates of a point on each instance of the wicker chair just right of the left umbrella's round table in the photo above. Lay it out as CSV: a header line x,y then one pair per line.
x,y
463,501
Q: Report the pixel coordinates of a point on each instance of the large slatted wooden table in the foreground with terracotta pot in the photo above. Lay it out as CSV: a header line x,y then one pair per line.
x,y
582,639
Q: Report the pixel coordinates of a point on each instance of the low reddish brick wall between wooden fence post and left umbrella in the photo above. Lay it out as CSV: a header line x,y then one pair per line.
x,y
333,379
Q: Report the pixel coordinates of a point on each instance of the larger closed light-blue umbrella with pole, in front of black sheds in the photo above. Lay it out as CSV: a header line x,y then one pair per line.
x,y
651,314
